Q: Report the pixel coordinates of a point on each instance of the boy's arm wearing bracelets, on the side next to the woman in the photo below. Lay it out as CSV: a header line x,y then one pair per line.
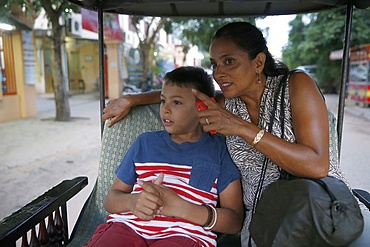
x,y
229,215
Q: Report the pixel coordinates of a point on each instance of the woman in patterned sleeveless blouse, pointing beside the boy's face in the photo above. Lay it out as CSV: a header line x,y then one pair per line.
x,y
249,76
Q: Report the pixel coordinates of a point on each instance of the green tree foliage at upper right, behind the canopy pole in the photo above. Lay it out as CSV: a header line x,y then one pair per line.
x,y
314,36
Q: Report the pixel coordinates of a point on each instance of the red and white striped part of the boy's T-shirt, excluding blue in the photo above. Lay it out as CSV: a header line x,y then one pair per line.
x,y
177,178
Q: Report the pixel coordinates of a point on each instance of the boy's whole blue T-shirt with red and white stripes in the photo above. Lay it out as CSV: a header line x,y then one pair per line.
x,y
197,172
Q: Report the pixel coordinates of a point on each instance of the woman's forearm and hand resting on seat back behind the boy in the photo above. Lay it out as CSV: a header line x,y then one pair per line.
x,y
117,109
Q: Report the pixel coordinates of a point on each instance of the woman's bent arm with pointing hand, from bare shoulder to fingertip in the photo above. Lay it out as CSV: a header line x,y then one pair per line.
x,y
310,155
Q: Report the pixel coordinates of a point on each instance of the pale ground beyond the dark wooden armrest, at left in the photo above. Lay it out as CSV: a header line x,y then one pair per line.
x,y
38,153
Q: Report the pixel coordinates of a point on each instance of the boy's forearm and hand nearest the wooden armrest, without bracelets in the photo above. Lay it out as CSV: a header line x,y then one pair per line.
x,y
143,205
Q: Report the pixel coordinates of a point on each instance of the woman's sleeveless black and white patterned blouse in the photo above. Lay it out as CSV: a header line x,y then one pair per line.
x,y
249,160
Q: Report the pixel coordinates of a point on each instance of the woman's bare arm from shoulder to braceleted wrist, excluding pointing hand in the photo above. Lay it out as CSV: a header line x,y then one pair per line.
x,y
309,156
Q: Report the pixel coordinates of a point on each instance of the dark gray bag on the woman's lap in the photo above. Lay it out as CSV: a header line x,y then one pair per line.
x,y
306,212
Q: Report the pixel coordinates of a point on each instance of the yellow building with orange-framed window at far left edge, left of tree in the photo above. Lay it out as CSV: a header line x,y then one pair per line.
x,y
18,66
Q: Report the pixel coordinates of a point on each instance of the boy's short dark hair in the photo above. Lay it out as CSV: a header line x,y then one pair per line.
x,y
192,77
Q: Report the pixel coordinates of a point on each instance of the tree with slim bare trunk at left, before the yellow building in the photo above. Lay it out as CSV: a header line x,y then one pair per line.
x,y
54,9
